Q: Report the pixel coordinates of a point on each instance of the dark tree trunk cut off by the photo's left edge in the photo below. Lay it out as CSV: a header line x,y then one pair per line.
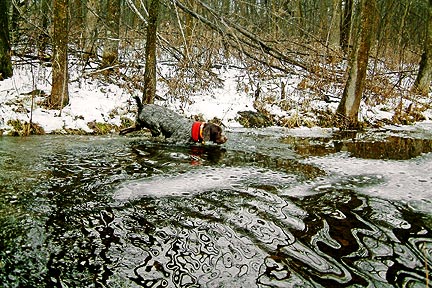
x,y
5,50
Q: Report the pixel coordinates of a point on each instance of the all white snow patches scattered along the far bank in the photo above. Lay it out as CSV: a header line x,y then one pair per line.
x,y
94,100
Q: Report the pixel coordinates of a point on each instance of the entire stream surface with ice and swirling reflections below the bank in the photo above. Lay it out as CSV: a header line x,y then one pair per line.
x,y
269,209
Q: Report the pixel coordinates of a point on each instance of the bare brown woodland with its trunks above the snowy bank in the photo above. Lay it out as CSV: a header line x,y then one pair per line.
x,y
287,35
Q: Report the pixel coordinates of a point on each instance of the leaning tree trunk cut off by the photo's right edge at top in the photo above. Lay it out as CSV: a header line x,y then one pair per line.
x,y
424,76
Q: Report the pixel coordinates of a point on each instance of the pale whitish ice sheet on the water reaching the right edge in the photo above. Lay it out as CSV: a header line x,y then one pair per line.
x,y
406,181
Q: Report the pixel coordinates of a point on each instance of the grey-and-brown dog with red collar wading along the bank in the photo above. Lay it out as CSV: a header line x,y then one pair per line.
x,y
160,120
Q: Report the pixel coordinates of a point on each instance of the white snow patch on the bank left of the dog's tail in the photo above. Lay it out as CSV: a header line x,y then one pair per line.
x,y
90,100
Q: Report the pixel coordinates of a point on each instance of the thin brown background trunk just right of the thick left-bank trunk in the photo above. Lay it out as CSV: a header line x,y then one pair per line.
x,y
90,30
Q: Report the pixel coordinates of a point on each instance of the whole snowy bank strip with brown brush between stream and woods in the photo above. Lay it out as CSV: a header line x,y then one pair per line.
x,y
102,103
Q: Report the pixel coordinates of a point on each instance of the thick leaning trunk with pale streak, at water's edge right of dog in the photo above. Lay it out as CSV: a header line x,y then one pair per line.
x,y
347,111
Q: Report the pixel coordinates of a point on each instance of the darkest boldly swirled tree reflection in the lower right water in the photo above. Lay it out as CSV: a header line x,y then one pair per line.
x,y
363,238
